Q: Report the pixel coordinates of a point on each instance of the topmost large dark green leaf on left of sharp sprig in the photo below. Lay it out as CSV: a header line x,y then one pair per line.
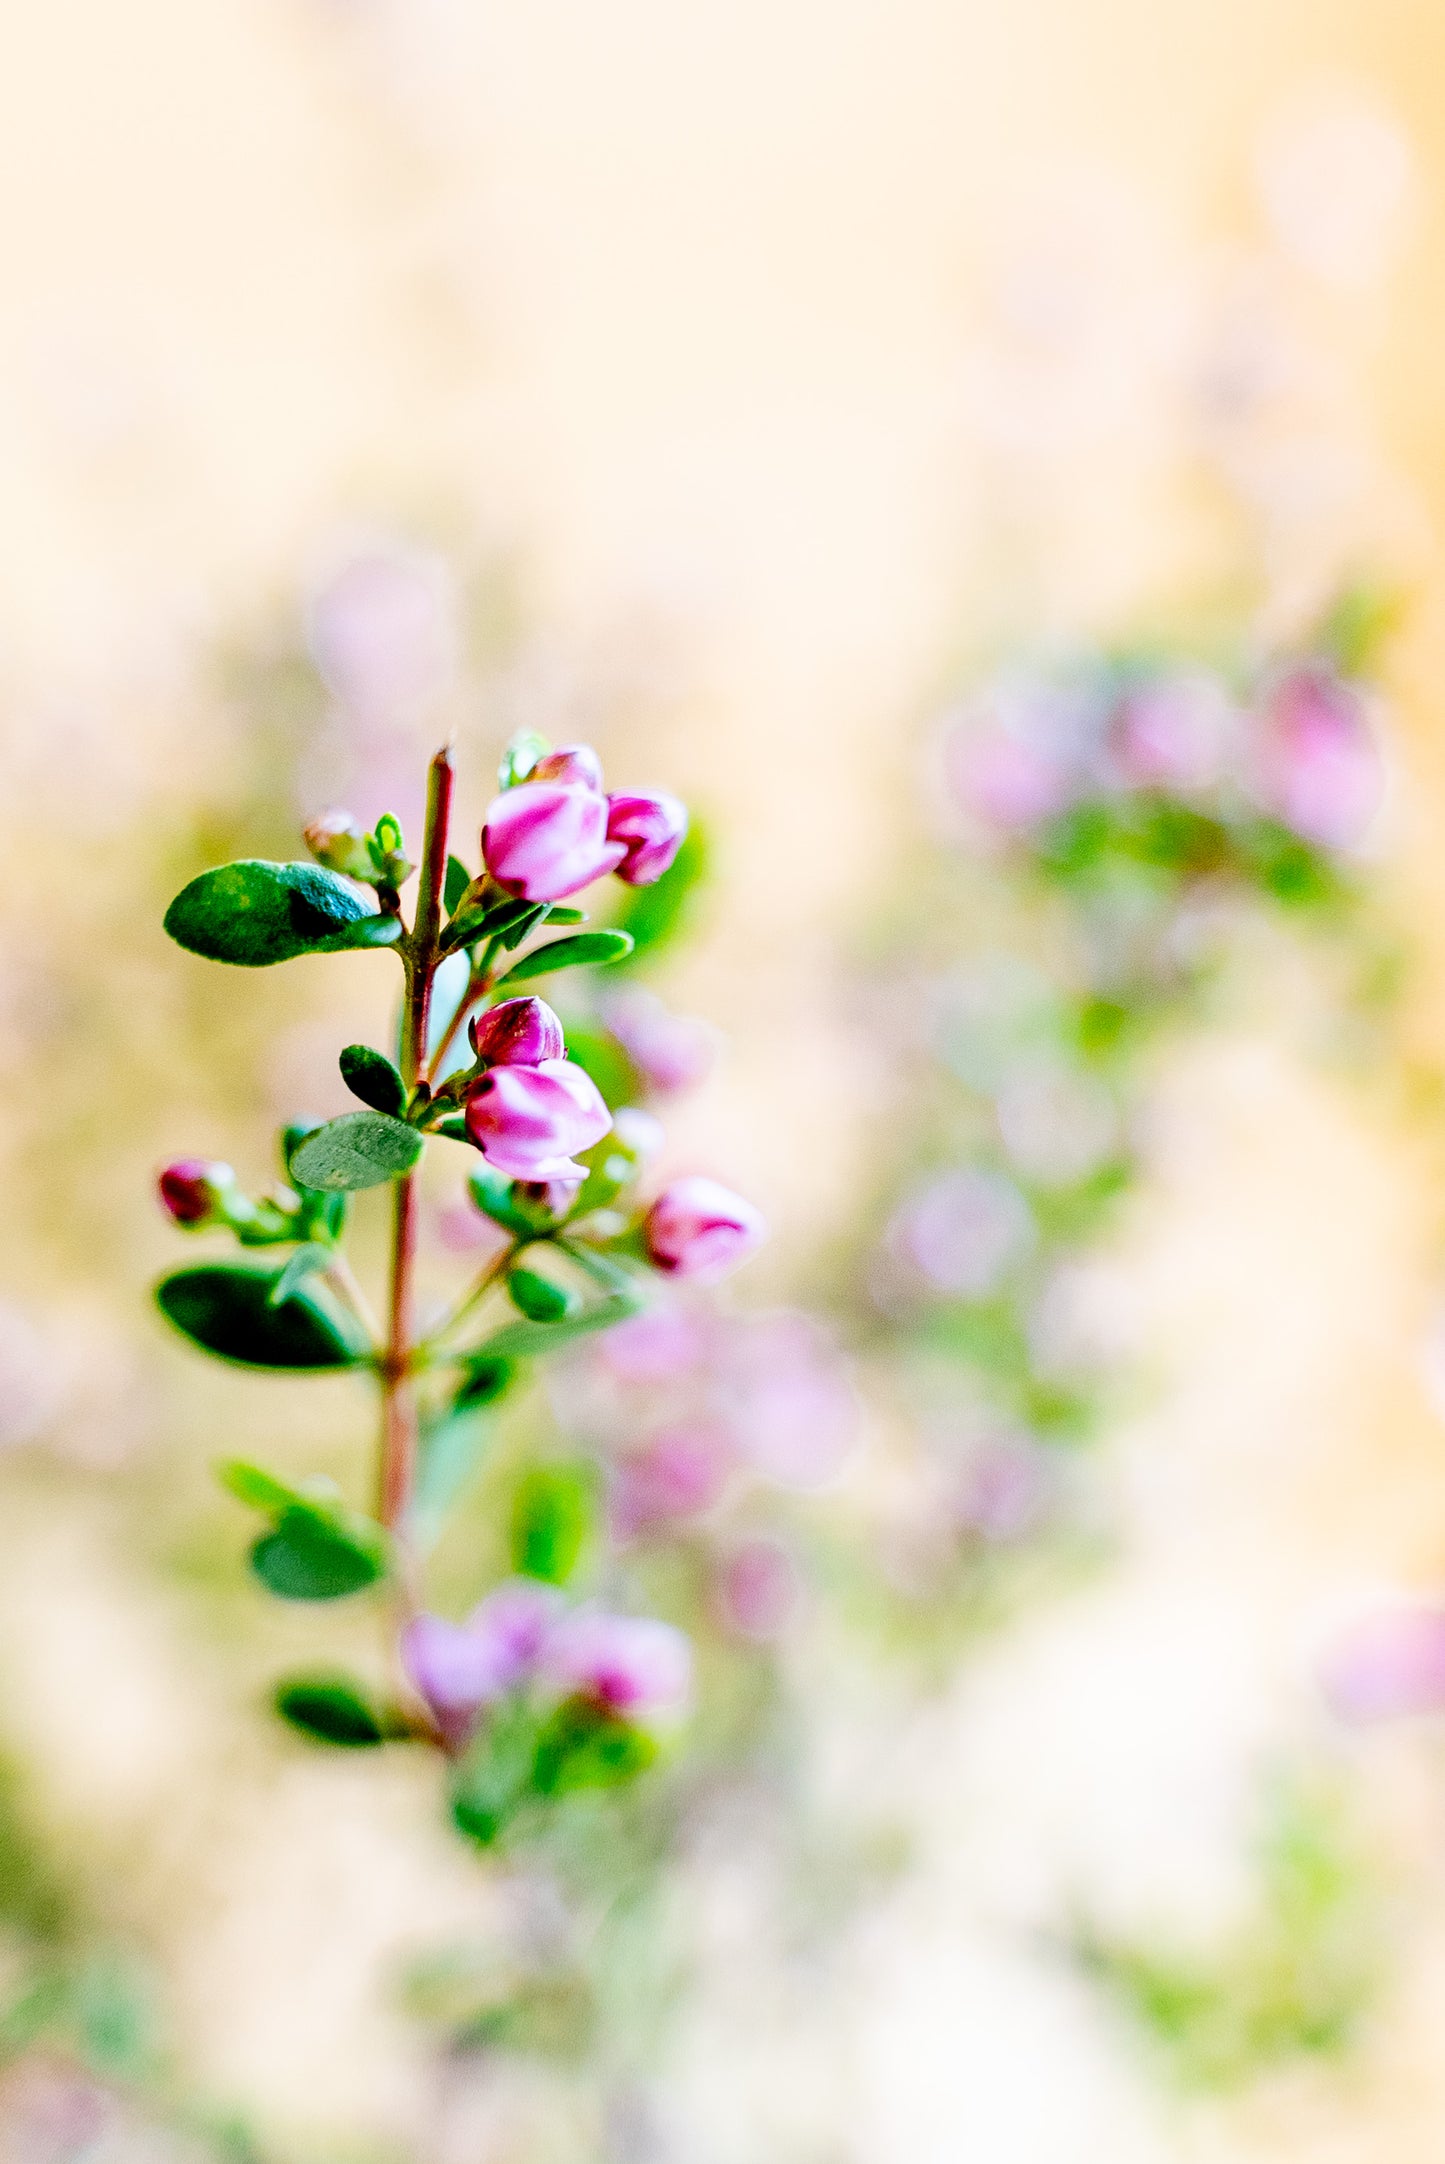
x,y
254,914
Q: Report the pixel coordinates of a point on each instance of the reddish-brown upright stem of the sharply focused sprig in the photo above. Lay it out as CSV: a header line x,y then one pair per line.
x,y
399,1406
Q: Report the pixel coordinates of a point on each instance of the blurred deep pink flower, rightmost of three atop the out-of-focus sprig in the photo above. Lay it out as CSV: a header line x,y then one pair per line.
x,y
1321,767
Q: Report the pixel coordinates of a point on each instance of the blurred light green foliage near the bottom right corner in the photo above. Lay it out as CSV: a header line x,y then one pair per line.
x,y
1295,1981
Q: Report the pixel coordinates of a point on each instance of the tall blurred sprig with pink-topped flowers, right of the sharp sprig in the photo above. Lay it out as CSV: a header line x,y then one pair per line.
x,y
1130,810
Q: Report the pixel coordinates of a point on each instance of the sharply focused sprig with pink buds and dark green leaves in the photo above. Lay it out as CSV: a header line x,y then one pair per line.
x,y
544,1691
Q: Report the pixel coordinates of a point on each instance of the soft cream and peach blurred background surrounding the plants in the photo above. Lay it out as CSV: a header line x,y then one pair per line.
x,y
743,391
